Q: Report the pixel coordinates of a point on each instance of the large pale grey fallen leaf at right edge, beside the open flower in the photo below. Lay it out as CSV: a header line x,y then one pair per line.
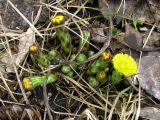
x,y
149,75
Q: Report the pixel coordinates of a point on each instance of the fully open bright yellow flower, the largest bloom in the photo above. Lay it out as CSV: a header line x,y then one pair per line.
x,y
125,64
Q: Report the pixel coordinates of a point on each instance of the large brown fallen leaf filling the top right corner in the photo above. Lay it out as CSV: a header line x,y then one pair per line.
x,y
130,9
